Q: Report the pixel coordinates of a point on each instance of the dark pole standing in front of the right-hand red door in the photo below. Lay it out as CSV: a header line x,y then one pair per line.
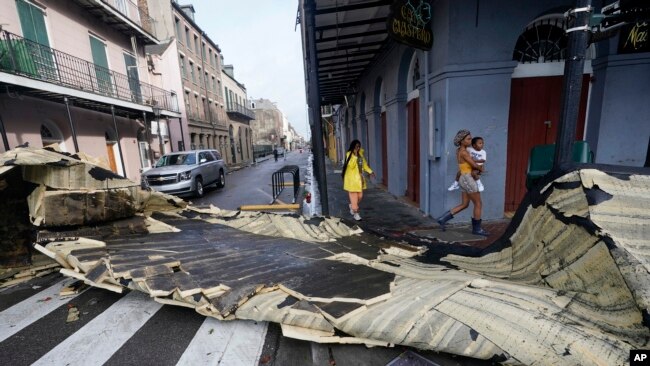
x,y
572,84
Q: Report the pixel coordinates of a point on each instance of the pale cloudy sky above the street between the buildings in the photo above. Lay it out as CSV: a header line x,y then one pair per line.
x,y
258,38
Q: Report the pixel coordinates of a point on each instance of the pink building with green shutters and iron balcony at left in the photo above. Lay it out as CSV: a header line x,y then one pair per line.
x,y
75,73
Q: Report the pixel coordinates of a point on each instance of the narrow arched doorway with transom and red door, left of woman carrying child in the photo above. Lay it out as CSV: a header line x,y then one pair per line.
x,y
413,132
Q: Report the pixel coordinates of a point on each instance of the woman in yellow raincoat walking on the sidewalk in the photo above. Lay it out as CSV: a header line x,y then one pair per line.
x,y
353,180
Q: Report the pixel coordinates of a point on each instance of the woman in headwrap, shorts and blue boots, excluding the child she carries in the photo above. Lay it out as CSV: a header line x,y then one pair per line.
x,y
468,185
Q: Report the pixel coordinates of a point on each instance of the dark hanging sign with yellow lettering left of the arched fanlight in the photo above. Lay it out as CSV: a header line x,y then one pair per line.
x,y
409,22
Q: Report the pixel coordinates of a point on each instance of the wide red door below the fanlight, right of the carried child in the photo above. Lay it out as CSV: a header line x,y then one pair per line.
x,y
534,116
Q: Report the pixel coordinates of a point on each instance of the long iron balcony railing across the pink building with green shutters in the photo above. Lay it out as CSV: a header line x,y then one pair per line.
x,y
21,56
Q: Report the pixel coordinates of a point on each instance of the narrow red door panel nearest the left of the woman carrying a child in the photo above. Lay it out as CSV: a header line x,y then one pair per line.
x,y
413,152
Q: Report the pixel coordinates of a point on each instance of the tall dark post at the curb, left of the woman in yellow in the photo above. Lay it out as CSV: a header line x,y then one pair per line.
x,y
308,24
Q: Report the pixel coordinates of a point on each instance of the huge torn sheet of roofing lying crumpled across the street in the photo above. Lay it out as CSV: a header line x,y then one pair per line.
x,y
568,283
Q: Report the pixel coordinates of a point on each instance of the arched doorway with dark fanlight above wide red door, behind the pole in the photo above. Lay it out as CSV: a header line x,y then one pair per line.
x,y
536,91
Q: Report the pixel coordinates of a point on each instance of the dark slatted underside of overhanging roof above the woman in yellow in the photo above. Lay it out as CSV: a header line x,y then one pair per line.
x,y
349,36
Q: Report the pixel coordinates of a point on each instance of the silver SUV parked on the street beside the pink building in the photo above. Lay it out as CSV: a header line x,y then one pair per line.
x,y
186,172
